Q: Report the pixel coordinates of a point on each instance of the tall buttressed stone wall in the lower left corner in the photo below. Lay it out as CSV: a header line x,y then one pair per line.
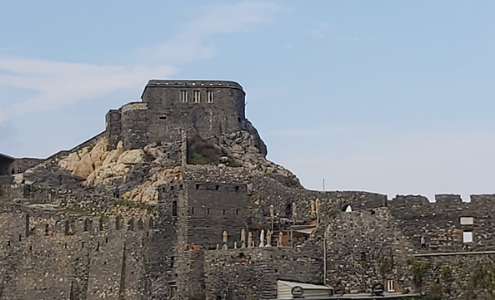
x,y
99,259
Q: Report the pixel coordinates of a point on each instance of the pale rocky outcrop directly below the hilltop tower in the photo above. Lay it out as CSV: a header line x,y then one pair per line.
x,y
137,173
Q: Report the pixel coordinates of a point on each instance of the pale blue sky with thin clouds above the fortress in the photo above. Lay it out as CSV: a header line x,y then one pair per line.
x,y
390,96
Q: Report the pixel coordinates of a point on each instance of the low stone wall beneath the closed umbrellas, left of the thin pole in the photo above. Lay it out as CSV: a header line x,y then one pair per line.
x,y
252,273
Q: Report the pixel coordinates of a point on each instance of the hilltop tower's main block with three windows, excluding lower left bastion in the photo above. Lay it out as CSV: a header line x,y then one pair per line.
x,y
219,109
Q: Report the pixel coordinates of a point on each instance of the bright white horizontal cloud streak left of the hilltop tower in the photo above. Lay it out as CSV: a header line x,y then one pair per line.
x,y
63,83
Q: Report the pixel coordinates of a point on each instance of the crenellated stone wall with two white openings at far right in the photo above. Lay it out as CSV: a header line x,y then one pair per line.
x,y
440,222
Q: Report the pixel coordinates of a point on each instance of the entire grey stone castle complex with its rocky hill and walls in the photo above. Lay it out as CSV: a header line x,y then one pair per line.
x,y
177,200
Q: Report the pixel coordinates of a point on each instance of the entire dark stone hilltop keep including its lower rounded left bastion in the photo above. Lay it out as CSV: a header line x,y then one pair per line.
x,y
168,107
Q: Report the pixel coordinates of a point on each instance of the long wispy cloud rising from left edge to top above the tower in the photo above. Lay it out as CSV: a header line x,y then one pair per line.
x,y
58,83
